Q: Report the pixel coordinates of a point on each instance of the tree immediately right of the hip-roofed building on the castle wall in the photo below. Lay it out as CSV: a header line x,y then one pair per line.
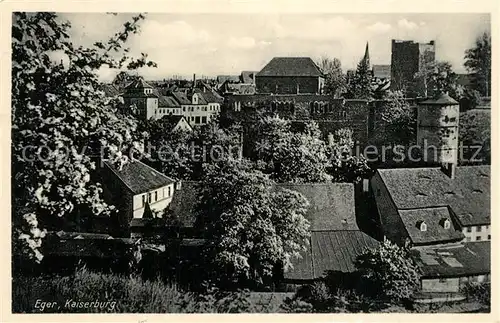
x,y
335,80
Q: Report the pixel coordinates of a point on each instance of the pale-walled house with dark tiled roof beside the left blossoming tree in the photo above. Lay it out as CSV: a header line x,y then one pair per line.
x,y
134,187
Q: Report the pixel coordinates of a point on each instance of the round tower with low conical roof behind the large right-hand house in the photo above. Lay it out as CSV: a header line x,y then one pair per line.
x,y
437,132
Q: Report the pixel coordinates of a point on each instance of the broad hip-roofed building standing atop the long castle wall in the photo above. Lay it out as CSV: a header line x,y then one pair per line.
x,y
290,75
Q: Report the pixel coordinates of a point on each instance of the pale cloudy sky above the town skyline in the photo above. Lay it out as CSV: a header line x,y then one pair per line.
x,y
215,44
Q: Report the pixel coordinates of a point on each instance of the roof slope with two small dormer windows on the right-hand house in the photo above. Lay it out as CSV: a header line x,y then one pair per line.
x,y
433,218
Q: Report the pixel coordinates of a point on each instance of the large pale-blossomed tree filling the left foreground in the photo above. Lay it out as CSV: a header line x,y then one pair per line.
x,y
58,114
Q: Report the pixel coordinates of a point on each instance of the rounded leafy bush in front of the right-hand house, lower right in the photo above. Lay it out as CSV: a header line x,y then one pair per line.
x,y
388,272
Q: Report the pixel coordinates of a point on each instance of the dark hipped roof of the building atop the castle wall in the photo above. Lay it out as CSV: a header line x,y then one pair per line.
x,y
291,66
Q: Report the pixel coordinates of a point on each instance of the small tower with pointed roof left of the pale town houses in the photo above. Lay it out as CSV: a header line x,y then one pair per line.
x,y
140,98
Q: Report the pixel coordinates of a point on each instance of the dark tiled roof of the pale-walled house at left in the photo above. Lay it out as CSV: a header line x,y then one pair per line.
x,y
139,177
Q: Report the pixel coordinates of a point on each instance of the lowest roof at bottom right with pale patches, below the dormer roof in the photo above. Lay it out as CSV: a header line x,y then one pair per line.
x,y
470,258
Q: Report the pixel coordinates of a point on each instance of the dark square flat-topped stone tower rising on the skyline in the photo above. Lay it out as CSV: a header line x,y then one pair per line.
x,y
407,59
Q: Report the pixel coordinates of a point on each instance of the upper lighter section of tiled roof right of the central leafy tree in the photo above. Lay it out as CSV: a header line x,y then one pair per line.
x,y
332,205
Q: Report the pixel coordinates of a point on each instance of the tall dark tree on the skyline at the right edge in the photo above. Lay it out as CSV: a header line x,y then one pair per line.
x,y
478,62
